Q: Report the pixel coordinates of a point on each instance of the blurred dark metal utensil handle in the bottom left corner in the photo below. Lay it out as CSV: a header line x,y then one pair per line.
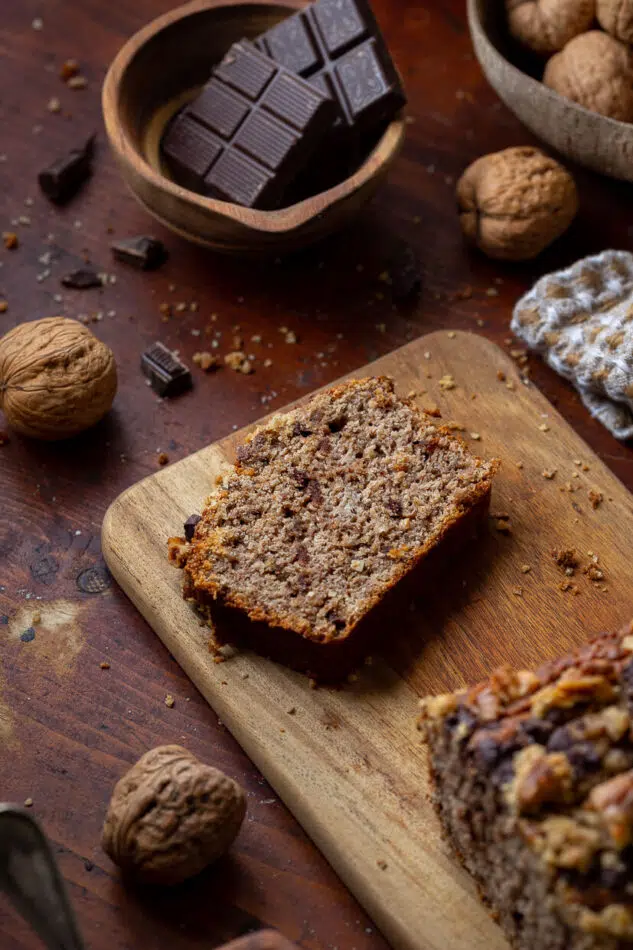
x,y
30,877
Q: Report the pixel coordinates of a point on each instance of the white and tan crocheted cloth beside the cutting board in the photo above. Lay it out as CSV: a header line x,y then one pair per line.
x,y
581,321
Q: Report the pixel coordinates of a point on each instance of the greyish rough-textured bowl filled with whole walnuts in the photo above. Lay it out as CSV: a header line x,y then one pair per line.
x,y
602,144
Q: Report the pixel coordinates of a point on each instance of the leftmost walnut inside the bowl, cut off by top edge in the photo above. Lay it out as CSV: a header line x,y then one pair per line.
x,y
545,26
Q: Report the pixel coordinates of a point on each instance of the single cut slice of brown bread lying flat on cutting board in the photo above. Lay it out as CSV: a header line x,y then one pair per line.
x,y
328,508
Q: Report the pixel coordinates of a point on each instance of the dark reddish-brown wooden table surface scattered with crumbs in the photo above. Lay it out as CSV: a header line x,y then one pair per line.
x,y
68,729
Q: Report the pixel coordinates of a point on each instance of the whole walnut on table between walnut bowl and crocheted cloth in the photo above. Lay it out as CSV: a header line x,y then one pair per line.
x,y
514,203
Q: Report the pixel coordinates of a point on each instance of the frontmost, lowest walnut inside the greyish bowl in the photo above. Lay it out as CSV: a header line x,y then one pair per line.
x,y
596,71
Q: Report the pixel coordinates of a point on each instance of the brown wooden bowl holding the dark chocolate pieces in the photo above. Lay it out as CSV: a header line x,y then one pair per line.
x,y
161,68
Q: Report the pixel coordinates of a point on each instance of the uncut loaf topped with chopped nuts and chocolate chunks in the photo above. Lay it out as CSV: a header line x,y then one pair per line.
x,y
534,784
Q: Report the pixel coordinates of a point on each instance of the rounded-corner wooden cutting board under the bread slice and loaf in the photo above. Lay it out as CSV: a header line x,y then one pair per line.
x,y
350,763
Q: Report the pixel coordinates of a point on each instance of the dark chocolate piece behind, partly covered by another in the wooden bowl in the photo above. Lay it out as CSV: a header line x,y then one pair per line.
x,y
338,46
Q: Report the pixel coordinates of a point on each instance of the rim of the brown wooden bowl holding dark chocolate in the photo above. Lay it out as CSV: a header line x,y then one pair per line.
x,y
280,221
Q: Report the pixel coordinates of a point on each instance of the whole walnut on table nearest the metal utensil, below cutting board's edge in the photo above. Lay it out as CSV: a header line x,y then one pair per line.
x,y
170,816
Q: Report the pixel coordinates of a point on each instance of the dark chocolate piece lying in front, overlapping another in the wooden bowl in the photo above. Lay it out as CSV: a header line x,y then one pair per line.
x,y
249,132
